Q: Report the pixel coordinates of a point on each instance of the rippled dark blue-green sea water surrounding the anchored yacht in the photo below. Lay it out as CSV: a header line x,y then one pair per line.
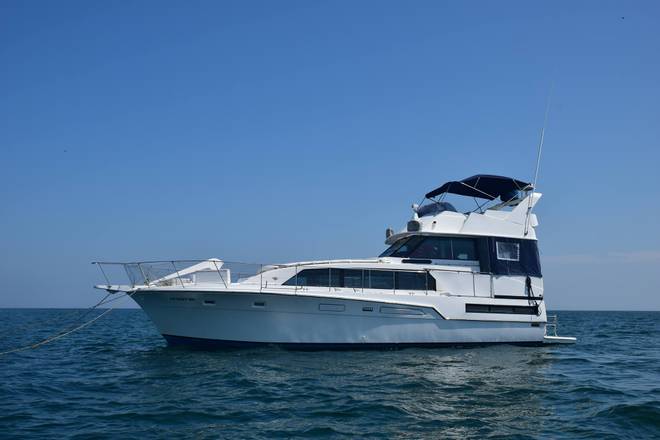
x,y
118,379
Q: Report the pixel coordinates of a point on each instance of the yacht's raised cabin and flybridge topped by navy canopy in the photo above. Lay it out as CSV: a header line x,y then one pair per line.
x,y
497,239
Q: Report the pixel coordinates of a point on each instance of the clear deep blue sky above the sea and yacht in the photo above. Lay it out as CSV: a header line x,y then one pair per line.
x,y
278,131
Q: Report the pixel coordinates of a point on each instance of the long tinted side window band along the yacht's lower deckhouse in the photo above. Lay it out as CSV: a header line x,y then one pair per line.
x,y
357,278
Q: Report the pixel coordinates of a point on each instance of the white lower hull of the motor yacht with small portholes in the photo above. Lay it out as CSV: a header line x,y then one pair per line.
x,y
239,319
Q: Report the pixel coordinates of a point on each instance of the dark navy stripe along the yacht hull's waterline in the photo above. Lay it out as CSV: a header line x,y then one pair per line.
x,y
177,341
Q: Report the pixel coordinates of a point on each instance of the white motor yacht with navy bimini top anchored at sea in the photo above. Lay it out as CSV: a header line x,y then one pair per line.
x,y
446,278
